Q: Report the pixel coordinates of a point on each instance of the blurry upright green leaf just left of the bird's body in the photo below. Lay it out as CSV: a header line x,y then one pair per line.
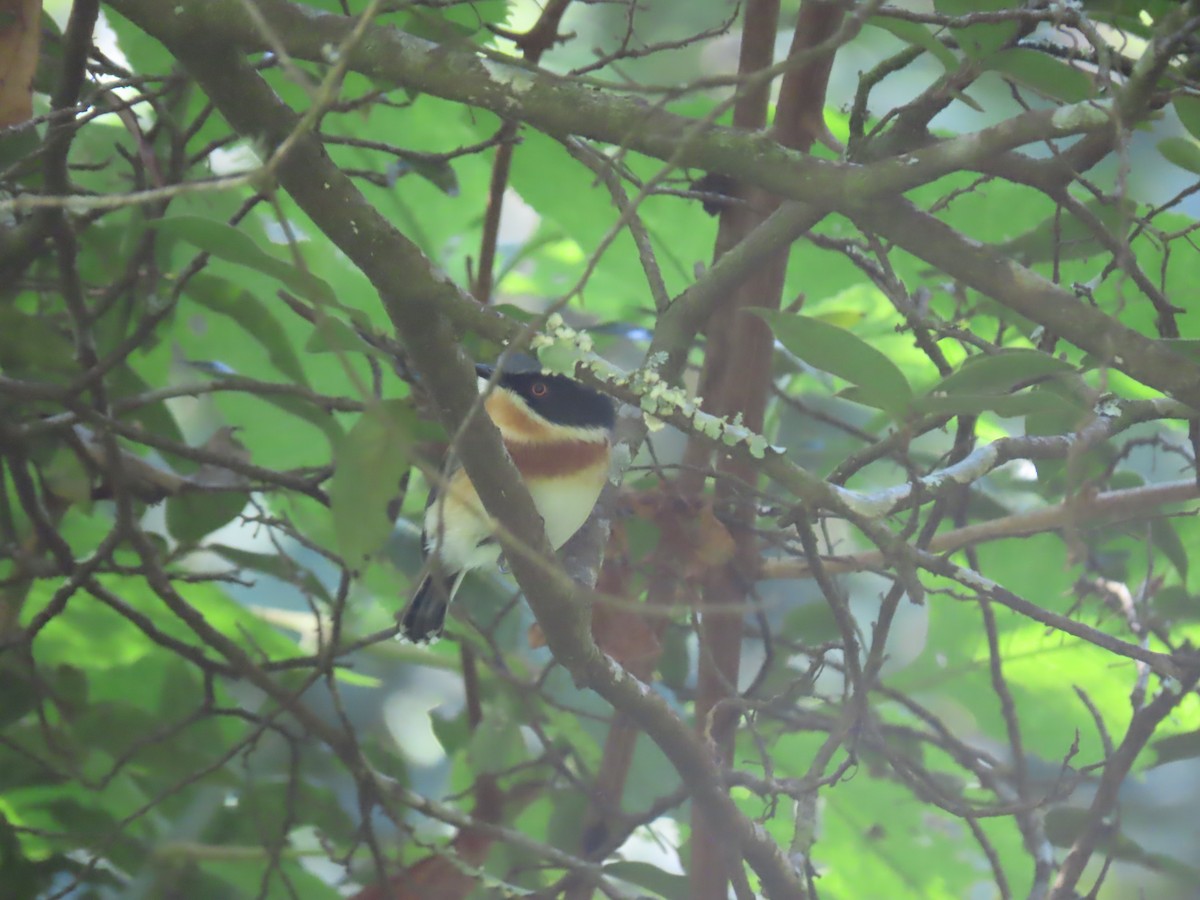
x,y
369,464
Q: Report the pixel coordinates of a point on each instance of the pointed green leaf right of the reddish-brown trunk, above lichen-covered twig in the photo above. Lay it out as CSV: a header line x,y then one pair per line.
x,y
844,355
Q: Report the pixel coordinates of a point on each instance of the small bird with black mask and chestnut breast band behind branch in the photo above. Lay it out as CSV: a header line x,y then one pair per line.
x,y
560,436
